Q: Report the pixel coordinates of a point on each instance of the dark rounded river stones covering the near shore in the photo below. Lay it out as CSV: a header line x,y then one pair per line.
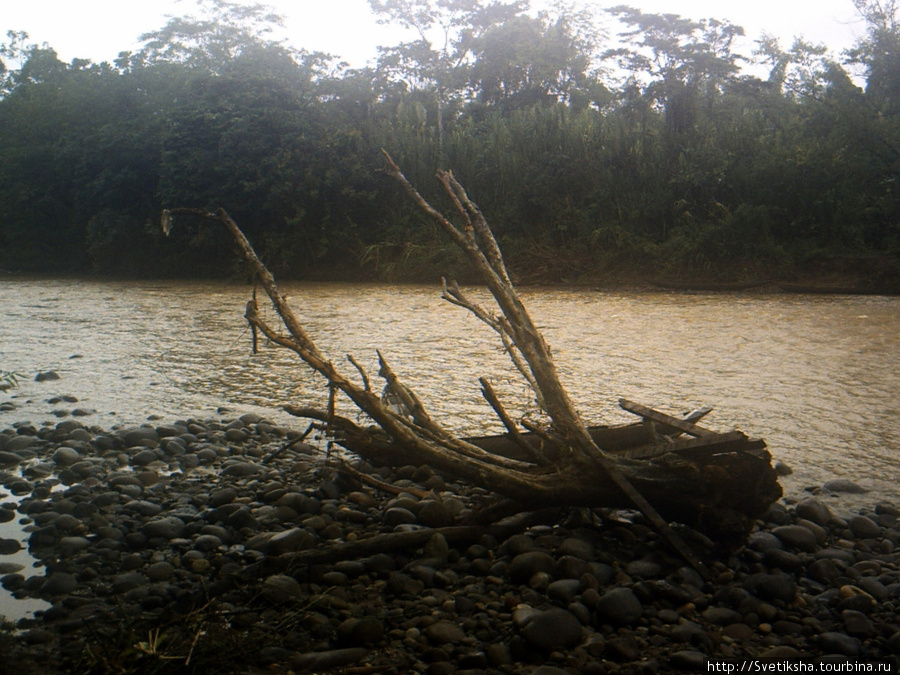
x,y
212,546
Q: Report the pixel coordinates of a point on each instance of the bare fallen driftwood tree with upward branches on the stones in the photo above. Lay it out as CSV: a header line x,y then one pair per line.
x,y
669,469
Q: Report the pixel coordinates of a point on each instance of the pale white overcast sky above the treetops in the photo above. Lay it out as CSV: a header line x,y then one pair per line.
x,y
100,29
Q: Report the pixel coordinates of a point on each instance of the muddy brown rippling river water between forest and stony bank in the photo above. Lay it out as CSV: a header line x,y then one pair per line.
x,y
815,376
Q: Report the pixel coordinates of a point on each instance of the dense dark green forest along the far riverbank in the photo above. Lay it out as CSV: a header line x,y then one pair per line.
x,y
602,145
